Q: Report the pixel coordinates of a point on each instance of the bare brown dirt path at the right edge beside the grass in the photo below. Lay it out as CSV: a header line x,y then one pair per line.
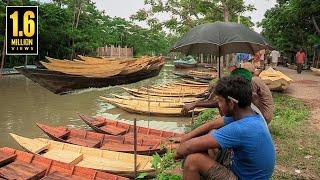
x,y
305,86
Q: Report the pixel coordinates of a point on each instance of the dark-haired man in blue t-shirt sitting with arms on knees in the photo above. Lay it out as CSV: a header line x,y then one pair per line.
x,y
242,130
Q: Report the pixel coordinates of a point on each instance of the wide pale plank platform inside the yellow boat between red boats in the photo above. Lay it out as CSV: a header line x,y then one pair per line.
x,y
64,156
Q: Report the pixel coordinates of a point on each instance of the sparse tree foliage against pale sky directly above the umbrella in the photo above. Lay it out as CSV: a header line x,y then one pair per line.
x,y
189,13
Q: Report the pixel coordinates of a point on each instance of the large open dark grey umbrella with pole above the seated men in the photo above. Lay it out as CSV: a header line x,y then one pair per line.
x,y
220,38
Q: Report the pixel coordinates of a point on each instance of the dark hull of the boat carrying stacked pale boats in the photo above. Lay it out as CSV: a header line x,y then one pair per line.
x,y
61,83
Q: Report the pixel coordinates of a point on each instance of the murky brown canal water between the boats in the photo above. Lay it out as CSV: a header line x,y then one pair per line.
x,y
23,103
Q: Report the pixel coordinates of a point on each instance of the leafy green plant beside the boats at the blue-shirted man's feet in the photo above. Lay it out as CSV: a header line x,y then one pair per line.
x,y
165,163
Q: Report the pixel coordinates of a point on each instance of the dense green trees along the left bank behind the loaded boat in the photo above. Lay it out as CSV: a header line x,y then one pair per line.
x,y
68,28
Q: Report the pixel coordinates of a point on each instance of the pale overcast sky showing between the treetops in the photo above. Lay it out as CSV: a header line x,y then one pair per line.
x,y
125,8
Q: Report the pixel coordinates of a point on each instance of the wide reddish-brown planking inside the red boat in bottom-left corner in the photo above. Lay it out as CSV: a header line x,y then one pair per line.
x,y
21,170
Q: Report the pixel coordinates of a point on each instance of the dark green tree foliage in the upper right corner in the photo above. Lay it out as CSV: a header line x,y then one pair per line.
x,y
289,26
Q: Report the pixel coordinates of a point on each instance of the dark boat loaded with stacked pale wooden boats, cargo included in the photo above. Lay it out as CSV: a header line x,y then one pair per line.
x,y
62,76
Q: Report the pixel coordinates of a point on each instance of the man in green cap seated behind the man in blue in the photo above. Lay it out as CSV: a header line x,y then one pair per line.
x,y
262,97
